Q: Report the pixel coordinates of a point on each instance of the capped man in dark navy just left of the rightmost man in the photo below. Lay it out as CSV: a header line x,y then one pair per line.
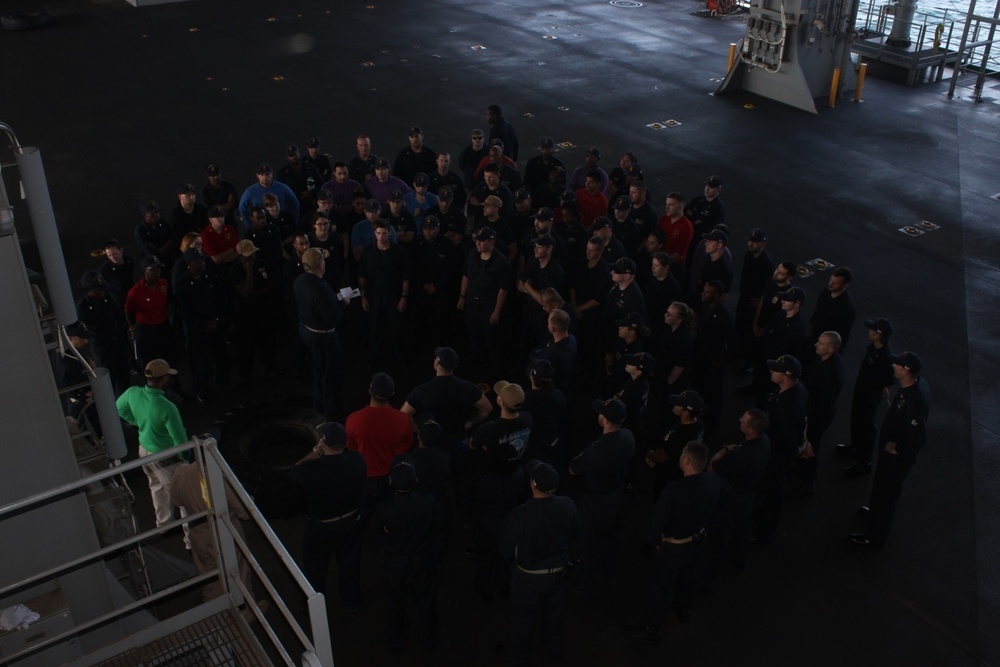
x,y
871,386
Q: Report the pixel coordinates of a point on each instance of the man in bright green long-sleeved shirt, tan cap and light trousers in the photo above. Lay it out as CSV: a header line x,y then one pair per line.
x,y
160,427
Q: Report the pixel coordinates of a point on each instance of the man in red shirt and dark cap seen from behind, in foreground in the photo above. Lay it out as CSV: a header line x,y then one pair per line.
x,y
381,433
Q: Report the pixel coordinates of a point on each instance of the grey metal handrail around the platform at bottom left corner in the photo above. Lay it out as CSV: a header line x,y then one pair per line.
x,y
318,647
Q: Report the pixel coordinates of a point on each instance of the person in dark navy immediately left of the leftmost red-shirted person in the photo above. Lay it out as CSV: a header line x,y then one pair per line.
x,y
106,320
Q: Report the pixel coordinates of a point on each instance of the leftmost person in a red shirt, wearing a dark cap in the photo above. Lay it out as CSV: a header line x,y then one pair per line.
x,y
146,312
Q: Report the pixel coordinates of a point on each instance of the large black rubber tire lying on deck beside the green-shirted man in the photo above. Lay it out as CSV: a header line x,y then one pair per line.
x,y
262,443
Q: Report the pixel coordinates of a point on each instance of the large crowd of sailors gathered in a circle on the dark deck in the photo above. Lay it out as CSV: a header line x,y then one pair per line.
x,y
579,302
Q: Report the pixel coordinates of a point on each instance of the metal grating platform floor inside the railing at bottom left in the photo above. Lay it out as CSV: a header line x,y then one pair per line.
x,y
222,640
